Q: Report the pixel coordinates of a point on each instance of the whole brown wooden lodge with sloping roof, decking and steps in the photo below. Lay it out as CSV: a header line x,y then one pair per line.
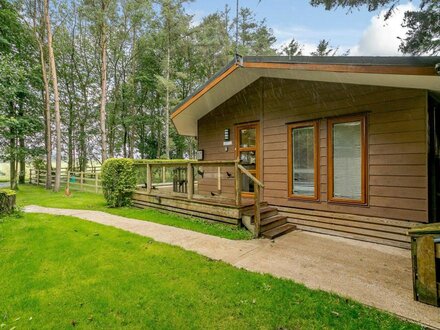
x,y
346,146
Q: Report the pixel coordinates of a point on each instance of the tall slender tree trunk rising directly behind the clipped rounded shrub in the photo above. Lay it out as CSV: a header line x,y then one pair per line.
x,y
103,83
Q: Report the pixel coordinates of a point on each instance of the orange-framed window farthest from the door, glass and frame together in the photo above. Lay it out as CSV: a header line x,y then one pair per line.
x,y
347,160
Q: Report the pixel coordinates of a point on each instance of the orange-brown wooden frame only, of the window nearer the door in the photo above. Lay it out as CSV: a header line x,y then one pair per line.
x,y
316,162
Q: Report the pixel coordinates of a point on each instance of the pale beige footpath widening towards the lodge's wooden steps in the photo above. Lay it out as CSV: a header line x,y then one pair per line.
x,y
372,274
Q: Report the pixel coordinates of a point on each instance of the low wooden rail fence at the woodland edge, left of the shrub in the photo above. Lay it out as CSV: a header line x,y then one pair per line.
x,y
89,180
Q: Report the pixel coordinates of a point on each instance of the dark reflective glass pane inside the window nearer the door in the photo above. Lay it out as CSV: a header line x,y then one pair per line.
x,y
303,162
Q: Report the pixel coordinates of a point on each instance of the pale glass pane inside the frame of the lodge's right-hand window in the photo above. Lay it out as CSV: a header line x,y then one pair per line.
x,y
347,160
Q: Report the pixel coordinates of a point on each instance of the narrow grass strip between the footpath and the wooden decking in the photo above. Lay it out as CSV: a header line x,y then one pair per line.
x,y
33,195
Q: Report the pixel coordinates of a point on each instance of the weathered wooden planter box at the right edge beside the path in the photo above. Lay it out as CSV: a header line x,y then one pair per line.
x,y
425,250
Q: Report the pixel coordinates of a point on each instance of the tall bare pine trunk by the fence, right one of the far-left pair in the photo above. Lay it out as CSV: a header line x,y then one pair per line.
x,y
53,71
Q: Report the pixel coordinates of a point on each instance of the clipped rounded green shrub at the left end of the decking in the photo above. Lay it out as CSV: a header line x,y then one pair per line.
x,y
118,181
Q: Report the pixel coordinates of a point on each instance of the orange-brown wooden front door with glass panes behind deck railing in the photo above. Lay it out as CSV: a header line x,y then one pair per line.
x,y
247,150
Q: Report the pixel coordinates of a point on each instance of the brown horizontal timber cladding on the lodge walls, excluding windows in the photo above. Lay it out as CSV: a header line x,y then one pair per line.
x,y
396,161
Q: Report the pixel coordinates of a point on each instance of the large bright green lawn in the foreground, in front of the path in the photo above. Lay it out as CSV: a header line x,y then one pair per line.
x,y
60,272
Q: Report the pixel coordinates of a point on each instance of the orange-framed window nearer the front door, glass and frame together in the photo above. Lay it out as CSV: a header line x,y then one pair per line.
x,y
303,160
